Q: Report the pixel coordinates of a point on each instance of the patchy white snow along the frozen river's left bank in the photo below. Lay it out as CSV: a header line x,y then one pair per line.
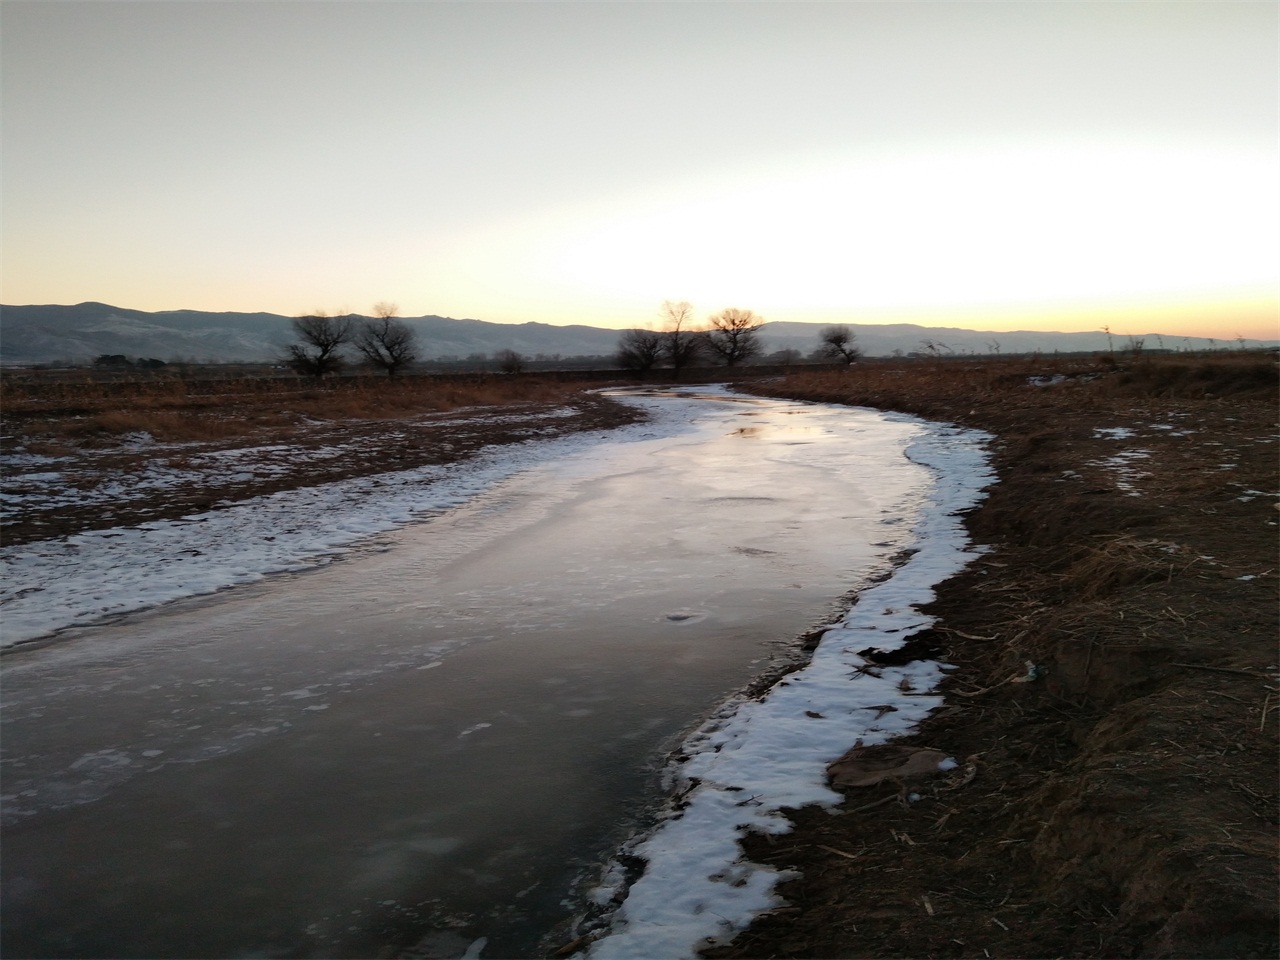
x,y
49,586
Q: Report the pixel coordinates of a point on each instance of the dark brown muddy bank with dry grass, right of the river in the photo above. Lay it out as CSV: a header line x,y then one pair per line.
x,y
1122,801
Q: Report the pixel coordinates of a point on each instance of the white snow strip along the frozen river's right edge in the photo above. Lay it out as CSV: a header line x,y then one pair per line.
x,y
758,757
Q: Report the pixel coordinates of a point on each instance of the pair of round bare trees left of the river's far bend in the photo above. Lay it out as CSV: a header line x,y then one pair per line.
x,y
383,341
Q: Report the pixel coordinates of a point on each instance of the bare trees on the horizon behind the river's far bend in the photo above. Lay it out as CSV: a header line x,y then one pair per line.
x,y
732,337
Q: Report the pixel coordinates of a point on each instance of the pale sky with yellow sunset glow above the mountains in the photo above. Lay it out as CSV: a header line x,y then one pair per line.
x,y
998,166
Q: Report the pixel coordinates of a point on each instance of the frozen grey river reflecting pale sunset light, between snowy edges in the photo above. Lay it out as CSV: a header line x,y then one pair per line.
x,y
441,738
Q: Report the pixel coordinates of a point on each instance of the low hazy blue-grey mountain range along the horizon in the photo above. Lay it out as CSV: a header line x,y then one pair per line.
x,y
80,333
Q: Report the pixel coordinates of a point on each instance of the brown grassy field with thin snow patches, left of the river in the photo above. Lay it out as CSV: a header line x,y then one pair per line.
x,y
108,431
